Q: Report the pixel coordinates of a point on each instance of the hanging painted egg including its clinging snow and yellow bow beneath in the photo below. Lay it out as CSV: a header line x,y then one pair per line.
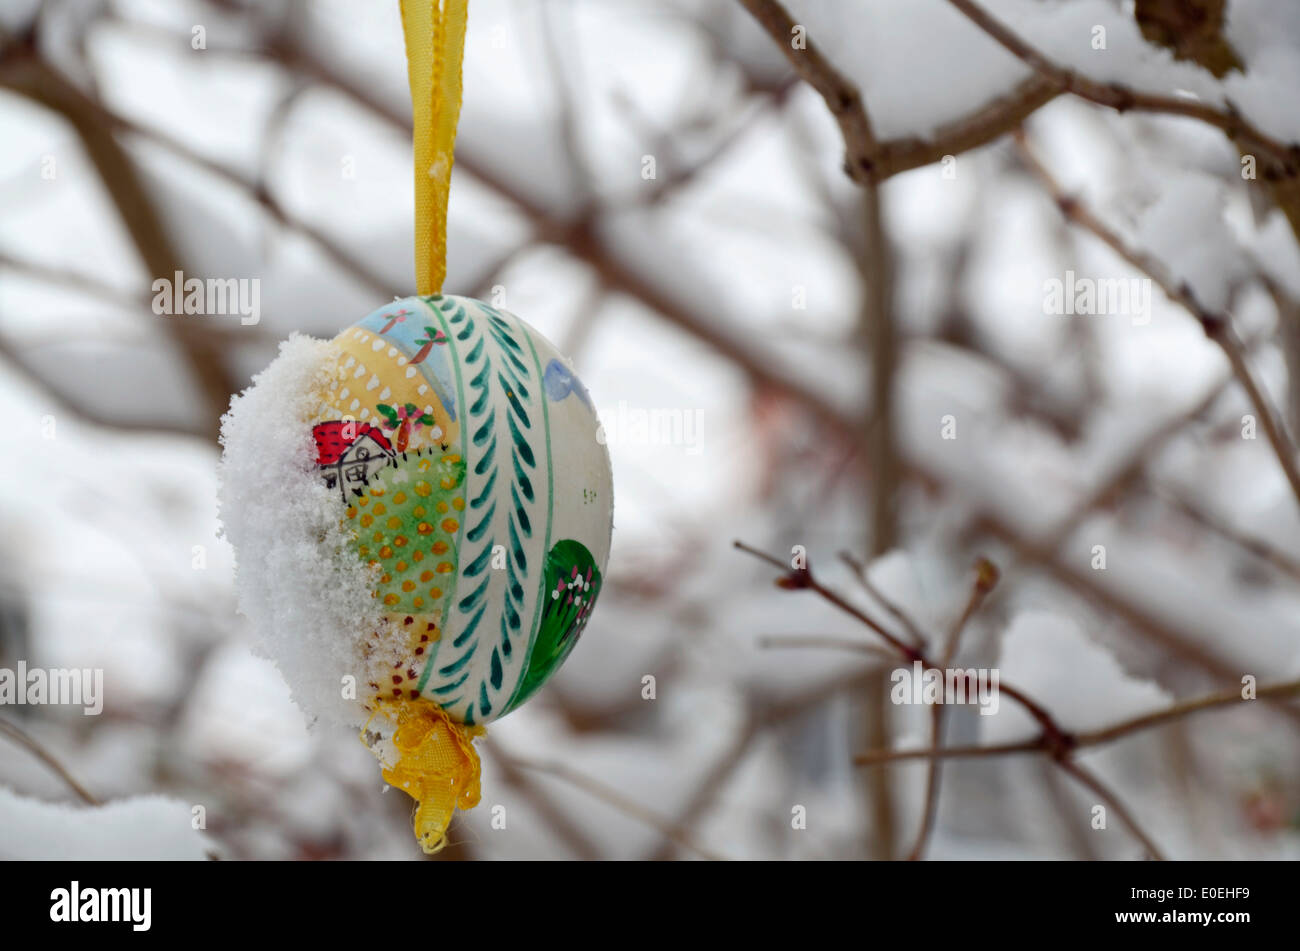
x,y
449,552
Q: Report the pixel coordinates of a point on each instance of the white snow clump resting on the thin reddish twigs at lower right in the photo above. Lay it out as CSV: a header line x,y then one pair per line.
x,y
1078,681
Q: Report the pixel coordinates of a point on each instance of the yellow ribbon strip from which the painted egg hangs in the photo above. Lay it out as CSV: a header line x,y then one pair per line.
x,y
436,42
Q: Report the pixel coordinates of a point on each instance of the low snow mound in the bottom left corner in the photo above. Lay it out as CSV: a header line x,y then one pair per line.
x,y
148,828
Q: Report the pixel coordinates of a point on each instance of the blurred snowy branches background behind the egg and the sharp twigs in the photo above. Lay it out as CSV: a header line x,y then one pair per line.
x,y
652,186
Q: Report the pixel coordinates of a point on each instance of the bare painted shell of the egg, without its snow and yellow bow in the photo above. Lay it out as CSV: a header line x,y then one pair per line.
x,y
466,458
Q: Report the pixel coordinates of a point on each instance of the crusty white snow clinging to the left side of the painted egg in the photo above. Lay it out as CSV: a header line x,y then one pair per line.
x,y
307,596
